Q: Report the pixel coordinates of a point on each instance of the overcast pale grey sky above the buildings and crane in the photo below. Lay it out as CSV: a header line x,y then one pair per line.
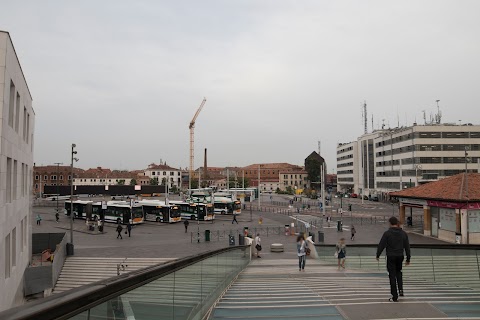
x,y
123,79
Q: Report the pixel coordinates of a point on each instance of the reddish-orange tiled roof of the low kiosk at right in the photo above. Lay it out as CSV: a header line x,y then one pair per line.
x,y
453,188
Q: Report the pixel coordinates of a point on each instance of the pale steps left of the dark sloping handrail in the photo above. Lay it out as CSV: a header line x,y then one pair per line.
x,y
79,271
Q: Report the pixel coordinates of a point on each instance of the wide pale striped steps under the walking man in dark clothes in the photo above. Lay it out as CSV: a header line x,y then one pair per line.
x,y
275,289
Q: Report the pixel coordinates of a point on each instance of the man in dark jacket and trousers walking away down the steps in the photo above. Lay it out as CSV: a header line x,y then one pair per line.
x,y
395,240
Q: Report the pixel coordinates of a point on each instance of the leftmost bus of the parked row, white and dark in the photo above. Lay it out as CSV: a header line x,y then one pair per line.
x,y
118,212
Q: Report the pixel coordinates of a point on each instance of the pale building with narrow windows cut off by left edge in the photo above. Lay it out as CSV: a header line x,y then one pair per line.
x,y
18,124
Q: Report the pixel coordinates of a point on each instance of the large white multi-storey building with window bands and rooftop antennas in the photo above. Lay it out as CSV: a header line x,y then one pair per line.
x,y
395,159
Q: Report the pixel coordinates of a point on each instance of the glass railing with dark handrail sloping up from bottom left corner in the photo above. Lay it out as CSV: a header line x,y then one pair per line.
x,y
182,289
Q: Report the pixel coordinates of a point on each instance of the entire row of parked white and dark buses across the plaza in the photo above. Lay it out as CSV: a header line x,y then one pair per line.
x,y
137,212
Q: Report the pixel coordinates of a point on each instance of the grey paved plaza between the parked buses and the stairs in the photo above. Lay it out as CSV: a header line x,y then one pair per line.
x,y
151,239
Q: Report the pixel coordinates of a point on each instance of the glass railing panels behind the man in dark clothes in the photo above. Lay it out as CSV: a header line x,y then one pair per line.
x,y
451,264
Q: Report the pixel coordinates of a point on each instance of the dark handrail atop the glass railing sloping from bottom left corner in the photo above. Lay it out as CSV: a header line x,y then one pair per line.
x,y
70,303
